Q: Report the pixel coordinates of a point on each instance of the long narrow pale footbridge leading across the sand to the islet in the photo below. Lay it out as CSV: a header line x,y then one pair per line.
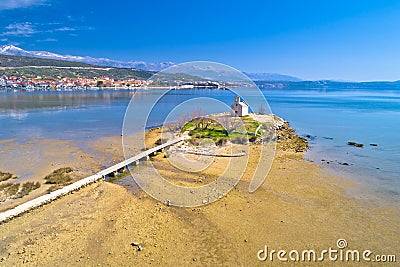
x,y
37,202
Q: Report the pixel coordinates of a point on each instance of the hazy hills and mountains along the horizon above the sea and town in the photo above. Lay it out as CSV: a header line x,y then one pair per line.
x,y
19,62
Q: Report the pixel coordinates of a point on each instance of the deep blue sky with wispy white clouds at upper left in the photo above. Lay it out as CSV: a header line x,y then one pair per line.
x,y
313,40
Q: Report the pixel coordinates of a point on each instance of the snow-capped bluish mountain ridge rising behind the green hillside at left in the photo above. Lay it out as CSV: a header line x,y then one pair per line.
x,y
16,51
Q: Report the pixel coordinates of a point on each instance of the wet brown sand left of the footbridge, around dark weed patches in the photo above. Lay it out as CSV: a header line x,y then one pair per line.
x,y
33,159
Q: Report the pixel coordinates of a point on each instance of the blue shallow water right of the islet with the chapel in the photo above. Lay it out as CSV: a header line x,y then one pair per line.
x,y
335,117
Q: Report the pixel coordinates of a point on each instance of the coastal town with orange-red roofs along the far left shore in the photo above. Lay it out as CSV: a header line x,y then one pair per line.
x,y
39,83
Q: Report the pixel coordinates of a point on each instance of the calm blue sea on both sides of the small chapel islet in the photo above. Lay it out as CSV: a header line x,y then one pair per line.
x,y
330,117
